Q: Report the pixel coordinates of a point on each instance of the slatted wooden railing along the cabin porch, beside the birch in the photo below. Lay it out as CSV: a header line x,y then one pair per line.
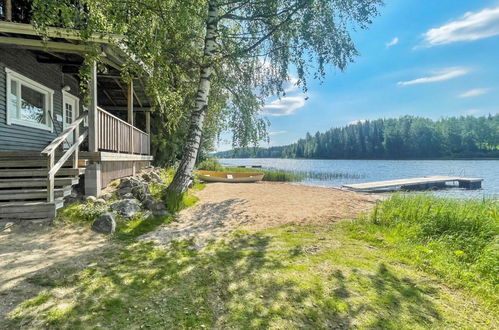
x,y
116,135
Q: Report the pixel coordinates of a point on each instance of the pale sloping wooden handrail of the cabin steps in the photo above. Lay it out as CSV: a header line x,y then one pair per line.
x,y
49,151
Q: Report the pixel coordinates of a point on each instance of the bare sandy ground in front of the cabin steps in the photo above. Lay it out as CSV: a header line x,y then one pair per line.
x,y
25,257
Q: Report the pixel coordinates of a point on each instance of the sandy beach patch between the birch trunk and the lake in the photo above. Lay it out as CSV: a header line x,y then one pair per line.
x,y
223,207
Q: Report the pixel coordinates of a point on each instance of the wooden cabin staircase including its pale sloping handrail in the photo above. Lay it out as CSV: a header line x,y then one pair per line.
x,y
33,184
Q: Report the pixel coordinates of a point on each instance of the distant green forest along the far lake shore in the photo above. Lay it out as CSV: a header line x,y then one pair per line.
x,y
402,138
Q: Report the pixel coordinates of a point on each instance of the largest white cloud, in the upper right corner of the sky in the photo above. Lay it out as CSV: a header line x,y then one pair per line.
x,y
472,26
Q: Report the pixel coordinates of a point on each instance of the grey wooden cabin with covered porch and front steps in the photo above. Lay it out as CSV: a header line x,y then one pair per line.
x,y
50,139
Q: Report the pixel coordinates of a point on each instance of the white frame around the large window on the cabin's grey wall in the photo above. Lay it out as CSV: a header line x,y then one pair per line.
x,y
49,100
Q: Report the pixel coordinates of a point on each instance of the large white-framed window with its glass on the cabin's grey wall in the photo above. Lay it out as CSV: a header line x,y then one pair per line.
x,y
28,103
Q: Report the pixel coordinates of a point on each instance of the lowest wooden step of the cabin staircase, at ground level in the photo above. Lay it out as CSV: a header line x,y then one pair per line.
x,y
29,210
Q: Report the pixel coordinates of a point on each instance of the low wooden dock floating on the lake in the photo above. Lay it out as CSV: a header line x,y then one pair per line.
x,y
425,183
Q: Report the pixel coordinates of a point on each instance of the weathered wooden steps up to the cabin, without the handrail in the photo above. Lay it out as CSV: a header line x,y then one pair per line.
x,y
23,185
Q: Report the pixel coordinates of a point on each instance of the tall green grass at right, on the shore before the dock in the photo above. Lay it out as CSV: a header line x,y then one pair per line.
x,y
456,239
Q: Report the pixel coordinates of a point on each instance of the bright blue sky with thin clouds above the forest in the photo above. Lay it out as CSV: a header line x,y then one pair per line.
x,y
420,57
